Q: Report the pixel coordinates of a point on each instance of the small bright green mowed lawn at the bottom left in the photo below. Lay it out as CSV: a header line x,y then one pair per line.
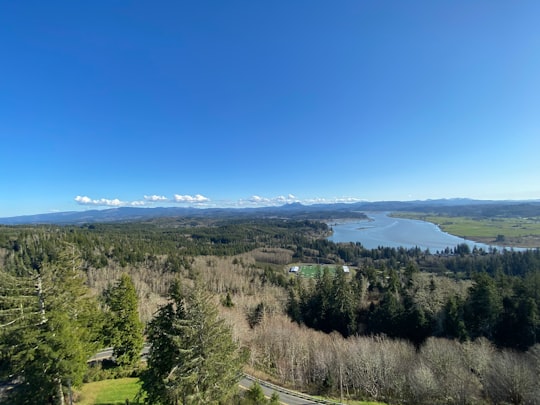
x,y
109,392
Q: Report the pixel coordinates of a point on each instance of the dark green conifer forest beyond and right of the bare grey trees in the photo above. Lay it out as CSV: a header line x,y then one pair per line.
x,y
382,297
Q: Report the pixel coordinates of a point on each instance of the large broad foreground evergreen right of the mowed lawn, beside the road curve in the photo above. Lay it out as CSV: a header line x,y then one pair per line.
x,y
193,358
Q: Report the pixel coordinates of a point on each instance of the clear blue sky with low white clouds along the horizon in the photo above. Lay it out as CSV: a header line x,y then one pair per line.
x,y
246,103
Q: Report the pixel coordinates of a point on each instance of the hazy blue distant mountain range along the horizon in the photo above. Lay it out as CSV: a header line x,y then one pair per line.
x,y
454,206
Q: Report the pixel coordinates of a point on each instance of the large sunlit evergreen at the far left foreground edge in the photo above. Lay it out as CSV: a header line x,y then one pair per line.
x,y
46,356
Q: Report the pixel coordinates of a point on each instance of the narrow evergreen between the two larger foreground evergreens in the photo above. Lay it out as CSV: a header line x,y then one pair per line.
x,y
123,327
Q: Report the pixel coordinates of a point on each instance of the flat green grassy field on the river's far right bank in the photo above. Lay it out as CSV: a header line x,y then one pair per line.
x,y
518,232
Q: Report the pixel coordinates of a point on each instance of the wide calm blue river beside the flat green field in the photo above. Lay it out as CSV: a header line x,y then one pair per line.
x,y
382,230
